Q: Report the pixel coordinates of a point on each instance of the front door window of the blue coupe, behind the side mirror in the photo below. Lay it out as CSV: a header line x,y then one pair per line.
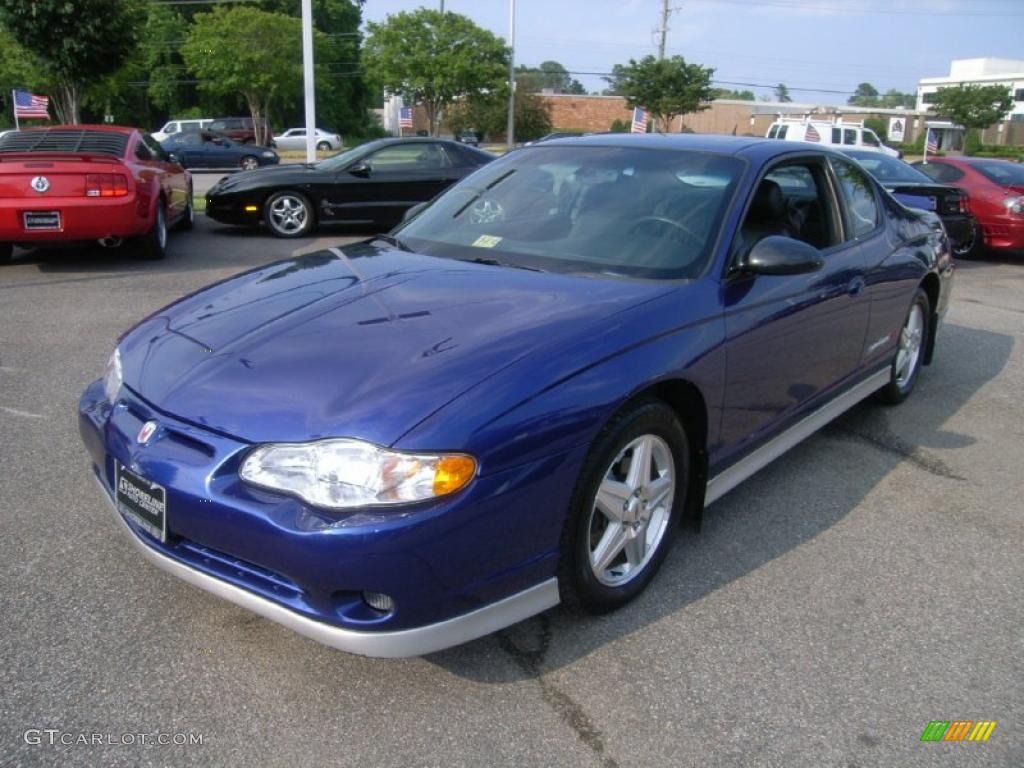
x,y
792,201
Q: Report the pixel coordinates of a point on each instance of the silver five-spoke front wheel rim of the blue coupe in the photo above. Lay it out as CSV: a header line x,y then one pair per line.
x,y
631,513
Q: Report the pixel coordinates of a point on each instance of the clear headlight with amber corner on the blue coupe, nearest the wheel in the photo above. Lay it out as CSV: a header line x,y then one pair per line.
x,y
346,474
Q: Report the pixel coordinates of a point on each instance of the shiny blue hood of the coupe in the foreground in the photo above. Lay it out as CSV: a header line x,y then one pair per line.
x,y
362,342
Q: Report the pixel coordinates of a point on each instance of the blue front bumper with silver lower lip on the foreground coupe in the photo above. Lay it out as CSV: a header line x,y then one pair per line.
x,y
457,571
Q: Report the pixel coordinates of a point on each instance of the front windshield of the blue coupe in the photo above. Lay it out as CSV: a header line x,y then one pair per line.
x,y
600,210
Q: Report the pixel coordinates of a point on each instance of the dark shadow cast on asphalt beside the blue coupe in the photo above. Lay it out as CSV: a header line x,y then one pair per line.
x,y
804,494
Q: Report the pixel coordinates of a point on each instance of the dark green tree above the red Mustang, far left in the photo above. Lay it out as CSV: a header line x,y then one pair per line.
x,y
77,42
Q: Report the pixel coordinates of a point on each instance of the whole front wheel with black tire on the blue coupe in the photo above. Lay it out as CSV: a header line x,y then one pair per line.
x,y
626,508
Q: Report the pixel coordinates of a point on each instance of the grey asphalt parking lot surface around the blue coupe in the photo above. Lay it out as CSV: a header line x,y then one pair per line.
x,y
868,583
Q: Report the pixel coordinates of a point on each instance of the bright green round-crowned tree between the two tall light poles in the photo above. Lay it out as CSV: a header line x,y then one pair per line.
x,y
434,59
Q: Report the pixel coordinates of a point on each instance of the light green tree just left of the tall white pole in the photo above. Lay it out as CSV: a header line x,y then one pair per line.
x,y
248,52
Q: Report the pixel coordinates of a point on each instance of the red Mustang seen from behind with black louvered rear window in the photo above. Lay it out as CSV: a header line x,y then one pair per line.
x,y
82,183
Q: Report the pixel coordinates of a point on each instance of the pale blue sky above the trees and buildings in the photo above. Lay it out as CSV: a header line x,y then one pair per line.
x,y
817,48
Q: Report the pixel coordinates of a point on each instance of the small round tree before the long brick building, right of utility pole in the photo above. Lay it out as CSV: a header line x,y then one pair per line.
x,y
666,88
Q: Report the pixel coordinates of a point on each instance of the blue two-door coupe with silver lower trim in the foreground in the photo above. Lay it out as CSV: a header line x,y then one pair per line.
x,y
519,397
